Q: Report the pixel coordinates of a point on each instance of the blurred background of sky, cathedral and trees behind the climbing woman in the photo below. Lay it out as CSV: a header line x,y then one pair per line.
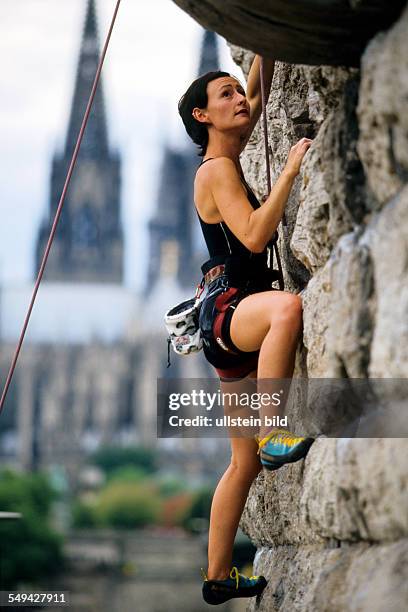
x,y
105,509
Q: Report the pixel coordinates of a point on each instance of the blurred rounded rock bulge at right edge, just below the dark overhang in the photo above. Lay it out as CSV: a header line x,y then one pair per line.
x,y
382,111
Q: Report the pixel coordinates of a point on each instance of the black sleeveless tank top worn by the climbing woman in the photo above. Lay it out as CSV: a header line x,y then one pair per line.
x,y
218,237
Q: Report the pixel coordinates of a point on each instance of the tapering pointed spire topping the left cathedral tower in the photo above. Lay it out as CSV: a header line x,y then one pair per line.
x,y
95,132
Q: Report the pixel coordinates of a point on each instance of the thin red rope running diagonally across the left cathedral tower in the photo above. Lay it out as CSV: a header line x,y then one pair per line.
x,y
60,205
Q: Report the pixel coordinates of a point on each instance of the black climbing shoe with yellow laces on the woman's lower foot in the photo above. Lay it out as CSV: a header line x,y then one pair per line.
x,y
236,585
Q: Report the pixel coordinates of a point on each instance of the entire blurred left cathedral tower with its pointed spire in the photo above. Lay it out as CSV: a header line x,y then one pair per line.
x,y
88,244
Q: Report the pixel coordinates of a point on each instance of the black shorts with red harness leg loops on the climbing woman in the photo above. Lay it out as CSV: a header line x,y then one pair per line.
x,y
215,320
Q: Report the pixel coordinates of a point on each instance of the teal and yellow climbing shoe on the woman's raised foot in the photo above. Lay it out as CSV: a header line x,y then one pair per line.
x,y
280,446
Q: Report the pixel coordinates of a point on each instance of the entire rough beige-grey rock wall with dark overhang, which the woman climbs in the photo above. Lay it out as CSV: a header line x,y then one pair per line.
x,y
332,531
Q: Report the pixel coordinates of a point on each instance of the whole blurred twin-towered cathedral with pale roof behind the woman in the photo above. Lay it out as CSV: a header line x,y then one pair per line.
x,y
93,352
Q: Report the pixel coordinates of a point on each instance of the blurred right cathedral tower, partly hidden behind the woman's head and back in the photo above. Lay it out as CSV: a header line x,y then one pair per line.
x,y
174,232
